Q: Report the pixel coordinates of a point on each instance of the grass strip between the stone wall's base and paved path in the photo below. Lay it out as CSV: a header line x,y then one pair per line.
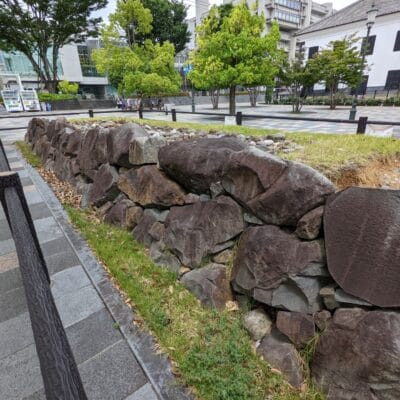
x,y
211,350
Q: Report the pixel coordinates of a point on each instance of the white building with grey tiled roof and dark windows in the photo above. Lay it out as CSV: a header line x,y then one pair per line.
x,y
383,56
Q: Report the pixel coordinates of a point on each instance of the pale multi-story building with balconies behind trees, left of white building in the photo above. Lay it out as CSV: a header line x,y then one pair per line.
x,y
291,15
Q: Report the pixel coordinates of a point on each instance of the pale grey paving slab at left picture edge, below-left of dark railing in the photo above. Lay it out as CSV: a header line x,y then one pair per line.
x,y
15,334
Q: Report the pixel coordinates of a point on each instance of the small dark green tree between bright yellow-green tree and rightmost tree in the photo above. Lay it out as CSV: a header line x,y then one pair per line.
x,y
297,76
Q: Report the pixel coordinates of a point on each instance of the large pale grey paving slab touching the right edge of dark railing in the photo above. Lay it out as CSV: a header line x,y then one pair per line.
x,y
78,305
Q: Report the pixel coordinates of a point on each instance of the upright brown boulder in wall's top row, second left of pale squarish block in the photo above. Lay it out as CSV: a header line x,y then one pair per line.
x,y
94,151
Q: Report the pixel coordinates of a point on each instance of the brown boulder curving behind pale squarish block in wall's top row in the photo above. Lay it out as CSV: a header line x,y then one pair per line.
x,y
119,140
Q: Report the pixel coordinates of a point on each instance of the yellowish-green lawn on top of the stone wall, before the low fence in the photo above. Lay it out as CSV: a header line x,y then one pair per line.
x,y
328,153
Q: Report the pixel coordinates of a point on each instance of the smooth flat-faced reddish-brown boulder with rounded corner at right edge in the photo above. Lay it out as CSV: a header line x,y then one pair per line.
x,y
362,230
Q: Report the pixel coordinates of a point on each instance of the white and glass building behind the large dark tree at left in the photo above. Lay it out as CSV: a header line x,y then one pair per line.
x,y
74,65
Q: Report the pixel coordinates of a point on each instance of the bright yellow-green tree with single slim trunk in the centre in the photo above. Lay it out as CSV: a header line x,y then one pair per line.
x,y
239,53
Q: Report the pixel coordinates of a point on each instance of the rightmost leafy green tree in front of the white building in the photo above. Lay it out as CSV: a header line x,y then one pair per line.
x,y
340,63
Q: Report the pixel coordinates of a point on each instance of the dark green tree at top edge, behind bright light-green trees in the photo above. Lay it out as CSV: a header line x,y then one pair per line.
x,y
168,23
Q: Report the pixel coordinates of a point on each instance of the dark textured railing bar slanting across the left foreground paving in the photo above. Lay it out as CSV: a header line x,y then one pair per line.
x,y
59,370
